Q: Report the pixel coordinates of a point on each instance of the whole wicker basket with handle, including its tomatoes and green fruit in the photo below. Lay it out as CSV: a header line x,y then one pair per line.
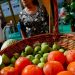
x,y
43,54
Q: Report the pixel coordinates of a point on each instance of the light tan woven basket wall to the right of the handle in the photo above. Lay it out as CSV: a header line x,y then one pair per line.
x,y
67,41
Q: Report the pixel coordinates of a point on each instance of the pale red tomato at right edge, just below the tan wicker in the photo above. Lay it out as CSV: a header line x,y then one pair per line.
x,y
70,56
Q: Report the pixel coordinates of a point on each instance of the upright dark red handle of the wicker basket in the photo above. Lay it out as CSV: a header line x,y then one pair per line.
x,y
55,16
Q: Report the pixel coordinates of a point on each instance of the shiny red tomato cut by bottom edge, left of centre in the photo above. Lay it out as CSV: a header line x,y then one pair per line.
x,y
32,70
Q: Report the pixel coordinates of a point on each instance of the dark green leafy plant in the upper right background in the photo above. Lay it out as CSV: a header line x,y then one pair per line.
x,y
70,13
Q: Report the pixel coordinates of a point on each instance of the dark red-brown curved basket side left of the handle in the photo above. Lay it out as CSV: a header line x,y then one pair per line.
x,y
19,46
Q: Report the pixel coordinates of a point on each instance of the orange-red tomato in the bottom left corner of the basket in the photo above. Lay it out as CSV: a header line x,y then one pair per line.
x,y
8,71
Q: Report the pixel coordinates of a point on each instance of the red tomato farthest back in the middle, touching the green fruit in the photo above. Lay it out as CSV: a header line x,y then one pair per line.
x,y
57,56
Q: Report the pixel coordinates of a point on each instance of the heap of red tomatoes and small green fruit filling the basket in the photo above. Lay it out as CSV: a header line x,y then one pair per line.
x,y
39,59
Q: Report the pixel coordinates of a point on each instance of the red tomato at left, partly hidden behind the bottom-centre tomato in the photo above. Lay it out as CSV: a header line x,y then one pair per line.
x,y
20,63
